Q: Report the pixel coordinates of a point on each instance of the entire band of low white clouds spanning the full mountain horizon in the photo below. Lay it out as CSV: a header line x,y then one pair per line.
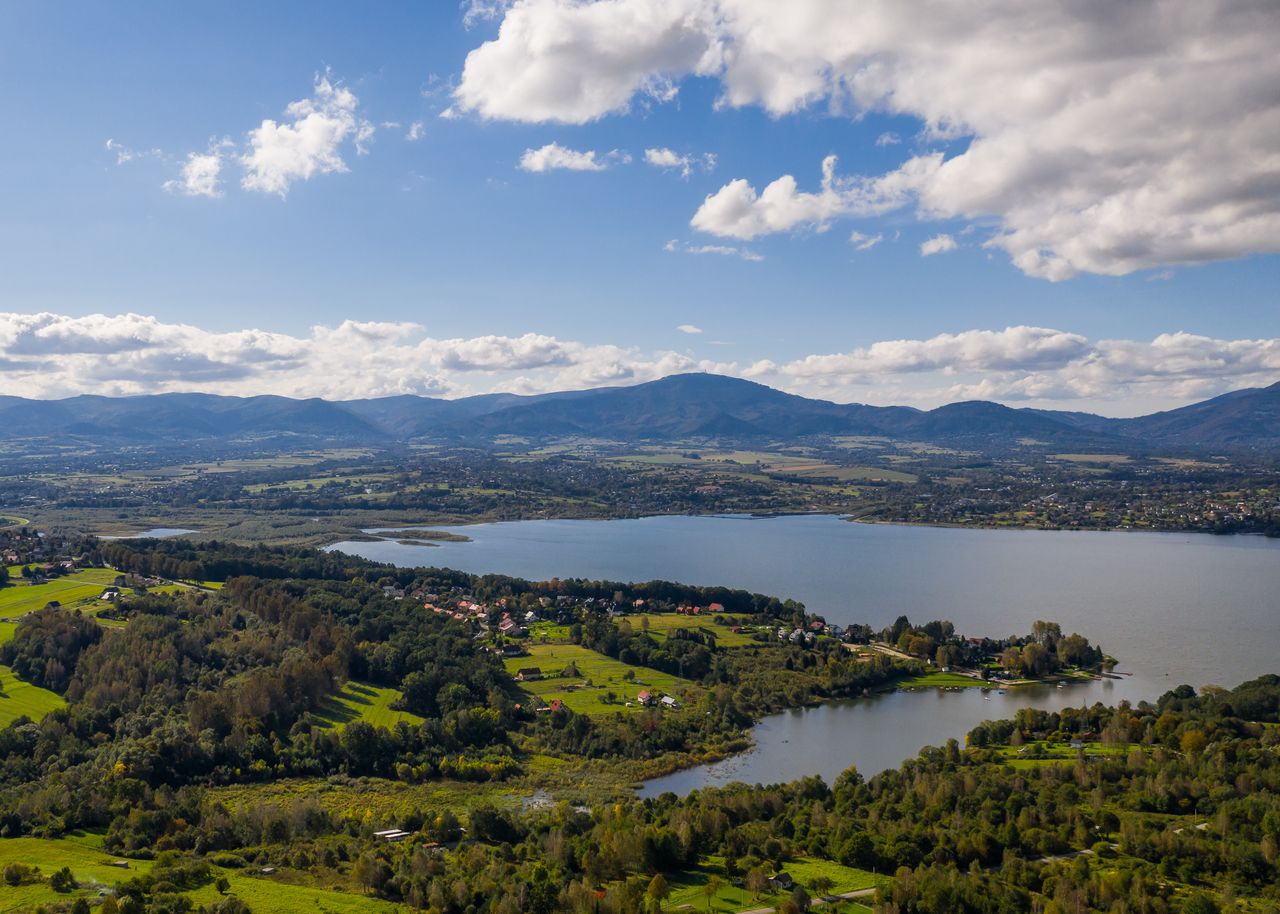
x,y
49,355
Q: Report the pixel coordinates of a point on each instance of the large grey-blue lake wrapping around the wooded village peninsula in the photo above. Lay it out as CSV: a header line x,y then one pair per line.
x,y
1173,609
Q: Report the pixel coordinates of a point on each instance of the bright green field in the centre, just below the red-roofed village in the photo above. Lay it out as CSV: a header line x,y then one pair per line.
x,y
604,674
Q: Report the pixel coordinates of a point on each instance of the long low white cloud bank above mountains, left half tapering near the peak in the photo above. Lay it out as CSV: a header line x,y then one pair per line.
x,y
49,355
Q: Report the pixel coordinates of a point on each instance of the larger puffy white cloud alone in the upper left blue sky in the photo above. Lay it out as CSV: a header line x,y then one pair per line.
x,y
309,143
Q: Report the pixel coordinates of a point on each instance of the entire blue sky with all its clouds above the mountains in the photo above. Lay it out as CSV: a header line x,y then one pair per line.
x,y
1058,204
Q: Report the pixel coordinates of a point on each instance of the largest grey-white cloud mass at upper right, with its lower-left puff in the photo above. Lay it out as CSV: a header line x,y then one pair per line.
x,y
1100,138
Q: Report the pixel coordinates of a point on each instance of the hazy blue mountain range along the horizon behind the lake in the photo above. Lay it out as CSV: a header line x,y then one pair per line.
x,y
679,408
